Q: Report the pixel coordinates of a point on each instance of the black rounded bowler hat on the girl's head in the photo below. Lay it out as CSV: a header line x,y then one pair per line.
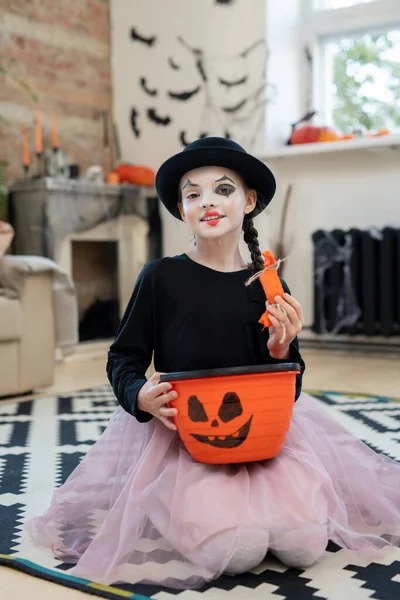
x,y
215,152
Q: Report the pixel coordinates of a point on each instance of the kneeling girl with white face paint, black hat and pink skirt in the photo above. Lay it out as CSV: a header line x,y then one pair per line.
x,y
138,508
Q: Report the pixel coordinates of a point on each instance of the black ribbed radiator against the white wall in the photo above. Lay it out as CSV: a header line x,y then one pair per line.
x,y
357,282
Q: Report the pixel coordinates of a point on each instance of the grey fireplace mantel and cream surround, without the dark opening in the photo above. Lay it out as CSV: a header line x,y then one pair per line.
x,y
49,215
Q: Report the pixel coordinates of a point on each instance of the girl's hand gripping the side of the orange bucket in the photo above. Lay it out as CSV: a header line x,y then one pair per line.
x,y
153,398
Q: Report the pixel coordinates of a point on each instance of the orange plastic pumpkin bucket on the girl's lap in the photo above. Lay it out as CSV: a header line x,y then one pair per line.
x,y
234,415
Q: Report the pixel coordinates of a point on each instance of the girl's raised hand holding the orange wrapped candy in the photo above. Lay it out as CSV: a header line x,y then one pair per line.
x,y
285,325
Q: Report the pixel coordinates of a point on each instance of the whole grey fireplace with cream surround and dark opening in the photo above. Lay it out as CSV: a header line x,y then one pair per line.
x,y
101,235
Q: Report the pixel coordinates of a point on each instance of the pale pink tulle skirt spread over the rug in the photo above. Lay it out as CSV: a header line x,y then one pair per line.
x,y
138,509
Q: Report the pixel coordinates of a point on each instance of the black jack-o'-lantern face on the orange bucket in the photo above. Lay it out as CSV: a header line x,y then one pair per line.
x,y
230,410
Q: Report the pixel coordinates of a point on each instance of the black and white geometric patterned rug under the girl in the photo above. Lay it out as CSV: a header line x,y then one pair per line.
x,y
44,439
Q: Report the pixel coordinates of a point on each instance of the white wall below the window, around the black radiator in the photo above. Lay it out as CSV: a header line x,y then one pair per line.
x,y
341,190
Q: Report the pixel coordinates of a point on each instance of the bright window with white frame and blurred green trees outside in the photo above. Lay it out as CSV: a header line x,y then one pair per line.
x,y
355,49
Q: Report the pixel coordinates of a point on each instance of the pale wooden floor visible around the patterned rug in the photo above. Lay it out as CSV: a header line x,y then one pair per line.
x,y
335,371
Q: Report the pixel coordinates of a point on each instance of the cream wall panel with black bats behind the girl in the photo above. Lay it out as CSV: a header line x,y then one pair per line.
x,y
223,32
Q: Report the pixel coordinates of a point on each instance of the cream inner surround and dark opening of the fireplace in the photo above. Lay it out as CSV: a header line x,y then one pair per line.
x,y
104,263
